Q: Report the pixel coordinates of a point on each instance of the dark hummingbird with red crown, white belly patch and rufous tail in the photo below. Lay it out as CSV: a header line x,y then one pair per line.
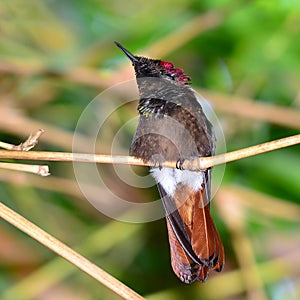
x,y
172,126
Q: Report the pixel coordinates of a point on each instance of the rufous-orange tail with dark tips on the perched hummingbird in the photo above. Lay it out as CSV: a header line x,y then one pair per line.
x,y
194,242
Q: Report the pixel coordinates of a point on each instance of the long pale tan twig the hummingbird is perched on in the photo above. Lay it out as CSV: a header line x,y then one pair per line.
x,y
201,163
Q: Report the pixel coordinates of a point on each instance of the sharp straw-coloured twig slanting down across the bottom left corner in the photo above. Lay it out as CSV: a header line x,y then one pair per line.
x,y
70,255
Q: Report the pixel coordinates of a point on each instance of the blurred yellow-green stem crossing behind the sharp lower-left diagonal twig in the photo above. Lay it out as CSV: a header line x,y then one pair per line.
x,y
113,233
